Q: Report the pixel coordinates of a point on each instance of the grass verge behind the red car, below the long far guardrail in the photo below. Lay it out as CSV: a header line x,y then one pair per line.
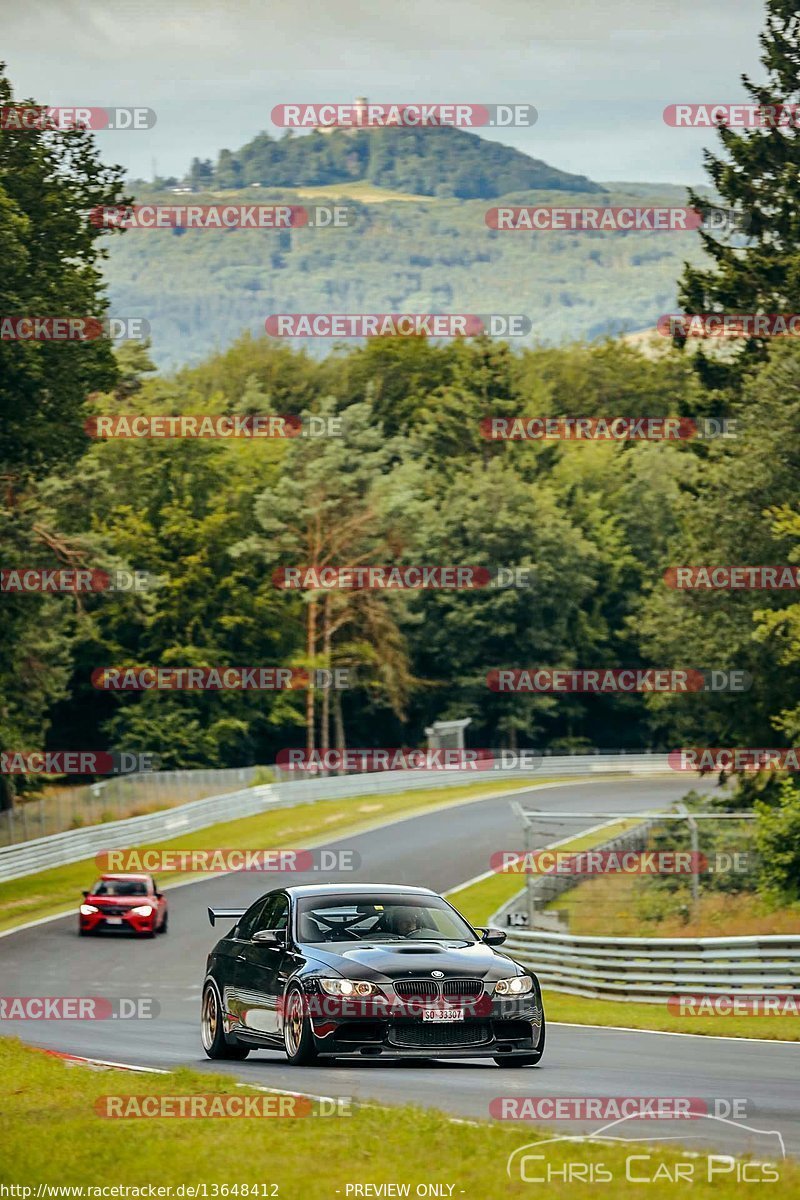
x,y
59,889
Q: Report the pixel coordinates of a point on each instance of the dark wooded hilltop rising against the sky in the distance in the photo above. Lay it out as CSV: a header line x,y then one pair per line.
x,y
444,163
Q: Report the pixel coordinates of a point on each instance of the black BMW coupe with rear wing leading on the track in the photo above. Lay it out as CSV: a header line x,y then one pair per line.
x,y
366,971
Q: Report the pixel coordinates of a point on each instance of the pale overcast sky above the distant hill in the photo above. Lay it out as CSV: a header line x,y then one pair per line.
x,y
600,73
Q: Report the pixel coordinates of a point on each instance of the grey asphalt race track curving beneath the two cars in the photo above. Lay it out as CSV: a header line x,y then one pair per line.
x,y
437,850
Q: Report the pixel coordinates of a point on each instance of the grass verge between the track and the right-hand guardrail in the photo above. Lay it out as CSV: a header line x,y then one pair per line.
x,y
478,902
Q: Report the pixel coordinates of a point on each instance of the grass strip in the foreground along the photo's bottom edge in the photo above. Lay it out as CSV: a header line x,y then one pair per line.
x,y
53,1135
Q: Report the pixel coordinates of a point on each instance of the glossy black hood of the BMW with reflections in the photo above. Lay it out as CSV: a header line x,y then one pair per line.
x,y
374,961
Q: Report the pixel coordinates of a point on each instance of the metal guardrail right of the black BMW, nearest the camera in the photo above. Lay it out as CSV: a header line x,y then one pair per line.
x,y
653,969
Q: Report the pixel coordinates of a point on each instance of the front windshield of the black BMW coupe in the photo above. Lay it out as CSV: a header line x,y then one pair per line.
x,y
380,919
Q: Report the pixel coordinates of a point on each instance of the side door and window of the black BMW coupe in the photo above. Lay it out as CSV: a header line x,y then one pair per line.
x,y
258,976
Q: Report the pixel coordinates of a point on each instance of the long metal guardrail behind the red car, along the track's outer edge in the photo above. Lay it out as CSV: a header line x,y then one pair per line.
x,y
75,845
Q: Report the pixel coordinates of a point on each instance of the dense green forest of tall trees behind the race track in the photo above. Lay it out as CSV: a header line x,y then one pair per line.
x,y
411,481
